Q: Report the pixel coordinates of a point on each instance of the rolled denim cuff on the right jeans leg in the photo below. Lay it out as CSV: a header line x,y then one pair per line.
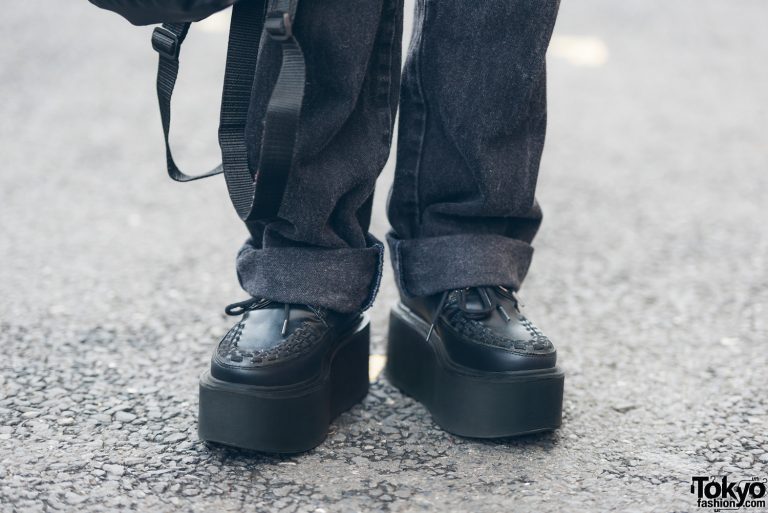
x,y
430,265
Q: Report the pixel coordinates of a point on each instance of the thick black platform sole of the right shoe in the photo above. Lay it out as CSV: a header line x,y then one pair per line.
x,y
465,401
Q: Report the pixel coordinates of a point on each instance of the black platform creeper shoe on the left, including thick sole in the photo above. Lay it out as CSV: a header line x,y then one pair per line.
x,y
281,375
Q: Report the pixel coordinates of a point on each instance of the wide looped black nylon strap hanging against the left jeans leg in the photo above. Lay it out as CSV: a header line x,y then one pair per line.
x,y
257,195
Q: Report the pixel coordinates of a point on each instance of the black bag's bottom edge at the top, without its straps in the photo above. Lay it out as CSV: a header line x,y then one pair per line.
x,y
147,12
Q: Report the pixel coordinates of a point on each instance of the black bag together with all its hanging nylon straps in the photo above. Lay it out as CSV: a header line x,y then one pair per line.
x,y
256,191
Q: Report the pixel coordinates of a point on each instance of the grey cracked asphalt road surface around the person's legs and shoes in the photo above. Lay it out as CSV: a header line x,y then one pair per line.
x,y
650,275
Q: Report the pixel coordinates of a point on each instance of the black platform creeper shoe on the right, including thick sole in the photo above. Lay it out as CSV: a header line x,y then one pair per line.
x,y
476,362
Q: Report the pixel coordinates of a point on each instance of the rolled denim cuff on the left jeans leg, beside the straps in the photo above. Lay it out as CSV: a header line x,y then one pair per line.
x,y
344,280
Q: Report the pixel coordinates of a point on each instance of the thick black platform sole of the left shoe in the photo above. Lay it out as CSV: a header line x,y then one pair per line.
x,y
287,419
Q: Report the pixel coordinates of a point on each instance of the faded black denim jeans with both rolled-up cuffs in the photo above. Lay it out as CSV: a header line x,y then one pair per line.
x,y
471,133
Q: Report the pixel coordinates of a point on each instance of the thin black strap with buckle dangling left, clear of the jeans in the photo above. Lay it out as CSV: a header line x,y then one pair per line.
x,y
167,40
